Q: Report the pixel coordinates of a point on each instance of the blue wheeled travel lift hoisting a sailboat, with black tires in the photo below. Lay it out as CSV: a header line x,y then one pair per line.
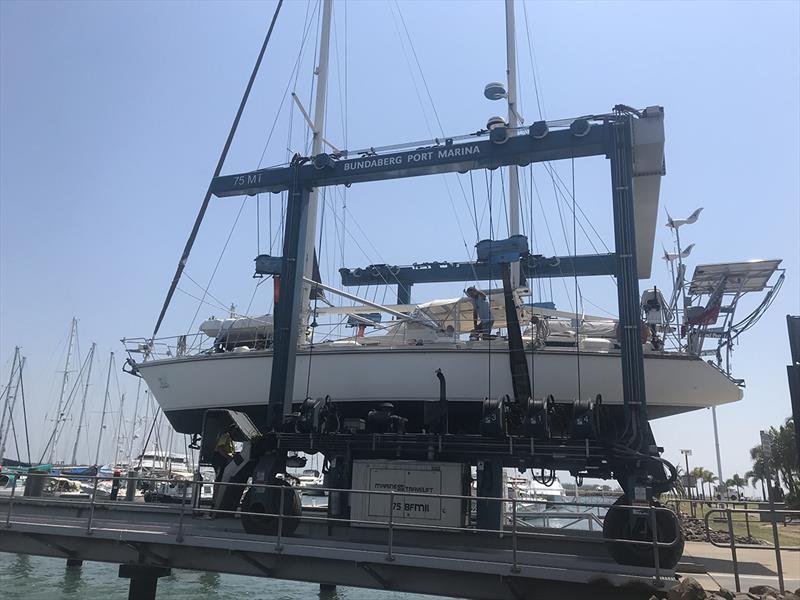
x,y
587,438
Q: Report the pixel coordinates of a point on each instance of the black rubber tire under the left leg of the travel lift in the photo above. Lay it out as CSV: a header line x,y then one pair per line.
x,y
267,501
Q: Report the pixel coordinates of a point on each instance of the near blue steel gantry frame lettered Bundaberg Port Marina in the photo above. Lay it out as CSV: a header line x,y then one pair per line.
x,y
610,136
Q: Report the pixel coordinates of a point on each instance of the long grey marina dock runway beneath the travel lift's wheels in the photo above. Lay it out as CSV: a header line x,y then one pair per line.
x,y
148,540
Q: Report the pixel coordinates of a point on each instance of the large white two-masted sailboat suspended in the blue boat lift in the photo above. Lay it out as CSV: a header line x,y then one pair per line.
x,y
232,369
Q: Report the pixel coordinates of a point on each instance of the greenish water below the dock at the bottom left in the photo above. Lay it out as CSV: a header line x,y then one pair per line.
x,y
42,578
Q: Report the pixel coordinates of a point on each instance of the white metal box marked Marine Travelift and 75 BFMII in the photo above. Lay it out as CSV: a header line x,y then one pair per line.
x,y
405,478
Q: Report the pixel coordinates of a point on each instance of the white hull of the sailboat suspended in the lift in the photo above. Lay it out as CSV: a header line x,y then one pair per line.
x,y
188,386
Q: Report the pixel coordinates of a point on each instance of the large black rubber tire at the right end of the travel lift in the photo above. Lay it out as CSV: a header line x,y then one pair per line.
x,y
620,523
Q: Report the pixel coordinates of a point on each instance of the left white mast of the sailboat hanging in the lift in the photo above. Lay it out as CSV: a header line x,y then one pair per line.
x,y
316,148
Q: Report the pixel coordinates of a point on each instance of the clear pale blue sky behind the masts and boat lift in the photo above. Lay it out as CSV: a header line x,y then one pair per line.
x,y
112,116
